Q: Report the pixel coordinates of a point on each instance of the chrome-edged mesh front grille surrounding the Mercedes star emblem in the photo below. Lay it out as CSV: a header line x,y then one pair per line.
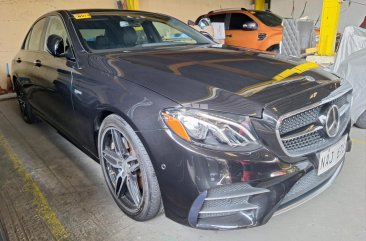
x,y
303,132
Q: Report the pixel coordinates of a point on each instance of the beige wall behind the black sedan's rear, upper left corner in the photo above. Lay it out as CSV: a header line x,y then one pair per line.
x,y
16,17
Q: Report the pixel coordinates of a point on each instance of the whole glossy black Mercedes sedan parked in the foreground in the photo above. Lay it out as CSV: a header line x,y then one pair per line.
x,y
219,137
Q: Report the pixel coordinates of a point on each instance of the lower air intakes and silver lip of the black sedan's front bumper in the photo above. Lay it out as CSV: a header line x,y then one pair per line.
x,y
254,206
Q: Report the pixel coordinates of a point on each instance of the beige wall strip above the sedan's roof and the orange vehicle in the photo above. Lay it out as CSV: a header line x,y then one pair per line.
x,y
190,9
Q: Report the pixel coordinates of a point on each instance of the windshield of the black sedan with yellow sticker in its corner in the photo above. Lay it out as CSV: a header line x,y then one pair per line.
x,y
129,31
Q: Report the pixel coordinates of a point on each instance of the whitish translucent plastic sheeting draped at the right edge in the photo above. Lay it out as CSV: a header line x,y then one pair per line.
x,y
351,66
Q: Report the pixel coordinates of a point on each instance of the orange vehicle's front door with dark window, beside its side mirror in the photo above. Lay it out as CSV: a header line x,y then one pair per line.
x,y
237,36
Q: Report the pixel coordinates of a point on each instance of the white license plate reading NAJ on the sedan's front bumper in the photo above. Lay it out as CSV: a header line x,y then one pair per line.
x,y
330,157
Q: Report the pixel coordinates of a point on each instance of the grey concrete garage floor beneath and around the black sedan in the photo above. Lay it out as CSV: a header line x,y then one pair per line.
x,y
38,165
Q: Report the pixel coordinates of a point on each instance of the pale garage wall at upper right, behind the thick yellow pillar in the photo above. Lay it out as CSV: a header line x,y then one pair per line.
x,y
350,14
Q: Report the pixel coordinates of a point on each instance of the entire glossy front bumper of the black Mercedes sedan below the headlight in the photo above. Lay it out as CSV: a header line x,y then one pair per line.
x,y
224,190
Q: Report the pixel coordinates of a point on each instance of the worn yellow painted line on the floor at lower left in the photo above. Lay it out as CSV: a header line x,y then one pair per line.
x,y
39,200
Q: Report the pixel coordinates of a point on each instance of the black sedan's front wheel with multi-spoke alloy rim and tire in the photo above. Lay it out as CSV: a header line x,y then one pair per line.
x,y
127,170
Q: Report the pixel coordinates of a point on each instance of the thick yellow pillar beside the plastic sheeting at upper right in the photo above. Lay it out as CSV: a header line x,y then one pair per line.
x,y
329,26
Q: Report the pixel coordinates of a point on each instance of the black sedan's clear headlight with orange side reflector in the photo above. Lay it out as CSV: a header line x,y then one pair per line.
x,y
211,129
